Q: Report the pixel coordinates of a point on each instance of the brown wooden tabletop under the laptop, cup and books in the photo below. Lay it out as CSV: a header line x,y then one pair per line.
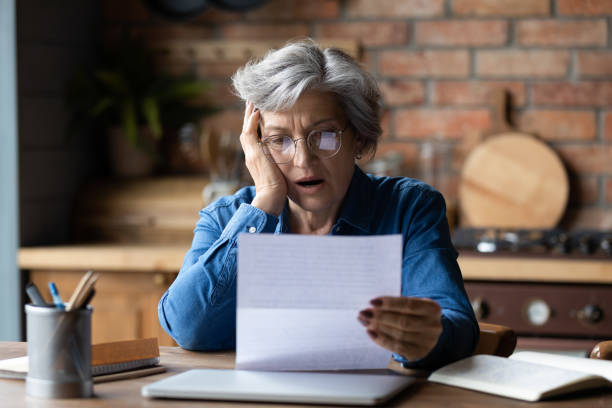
x,y
127,393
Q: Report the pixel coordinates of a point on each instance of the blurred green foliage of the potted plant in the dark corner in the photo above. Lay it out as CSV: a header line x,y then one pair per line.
x,y
128,90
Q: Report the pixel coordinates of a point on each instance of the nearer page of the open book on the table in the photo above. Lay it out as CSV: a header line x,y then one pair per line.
x,y
510,378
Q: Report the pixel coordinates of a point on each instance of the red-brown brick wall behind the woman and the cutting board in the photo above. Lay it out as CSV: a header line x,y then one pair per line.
x,y
437,62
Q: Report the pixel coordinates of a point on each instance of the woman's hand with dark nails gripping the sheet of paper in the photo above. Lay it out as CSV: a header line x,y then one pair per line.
x,y
408,326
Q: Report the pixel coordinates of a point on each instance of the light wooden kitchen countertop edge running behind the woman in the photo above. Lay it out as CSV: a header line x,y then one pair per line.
x,y
169,258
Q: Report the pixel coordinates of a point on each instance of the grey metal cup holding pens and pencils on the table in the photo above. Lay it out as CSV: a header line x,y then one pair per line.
x,y
59,352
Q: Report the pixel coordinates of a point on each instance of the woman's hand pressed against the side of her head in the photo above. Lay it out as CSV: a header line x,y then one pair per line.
x,y
270,184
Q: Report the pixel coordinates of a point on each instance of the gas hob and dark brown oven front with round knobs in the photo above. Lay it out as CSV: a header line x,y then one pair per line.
x,y
547,315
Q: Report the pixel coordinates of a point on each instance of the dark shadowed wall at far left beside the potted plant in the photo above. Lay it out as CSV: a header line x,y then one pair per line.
x,y
53,42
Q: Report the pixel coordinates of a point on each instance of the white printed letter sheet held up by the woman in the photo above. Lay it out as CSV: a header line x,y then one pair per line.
x,y
299,296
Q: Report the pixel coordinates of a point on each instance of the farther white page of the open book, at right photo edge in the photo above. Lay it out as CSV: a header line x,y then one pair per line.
x,y
585,365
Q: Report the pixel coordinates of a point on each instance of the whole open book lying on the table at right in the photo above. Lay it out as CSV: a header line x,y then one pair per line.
x,y
528,376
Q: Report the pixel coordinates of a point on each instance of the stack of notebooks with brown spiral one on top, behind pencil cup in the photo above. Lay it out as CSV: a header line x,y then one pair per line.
x,y
109,361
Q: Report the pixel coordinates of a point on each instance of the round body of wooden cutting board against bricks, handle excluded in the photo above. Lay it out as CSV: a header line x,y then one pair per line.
x,y
513,180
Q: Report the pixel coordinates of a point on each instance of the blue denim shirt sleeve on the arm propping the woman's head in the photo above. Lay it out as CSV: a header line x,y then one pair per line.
x,y
199,309
